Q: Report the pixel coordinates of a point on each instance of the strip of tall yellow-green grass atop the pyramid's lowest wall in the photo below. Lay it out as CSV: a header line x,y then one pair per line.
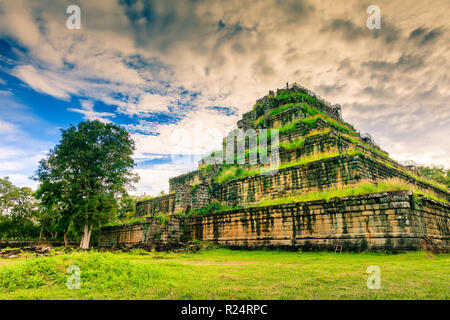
x,y
362,187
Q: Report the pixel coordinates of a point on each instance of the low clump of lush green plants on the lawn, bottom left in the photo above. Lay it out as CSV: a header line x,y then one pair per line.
x,y
99,272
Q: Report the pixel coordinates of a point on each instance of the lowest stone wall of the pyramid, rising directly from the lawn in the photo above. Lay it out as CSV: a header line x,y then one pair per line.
x,y
392,221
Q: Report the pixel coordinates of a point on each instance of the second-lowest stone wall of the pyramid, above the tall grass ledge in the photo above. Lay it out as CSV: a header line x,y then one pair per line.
x,y
311,176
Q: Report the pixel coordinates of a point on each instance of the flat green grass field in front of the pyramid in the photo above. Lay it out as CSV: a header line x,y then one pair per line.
x,y
227,274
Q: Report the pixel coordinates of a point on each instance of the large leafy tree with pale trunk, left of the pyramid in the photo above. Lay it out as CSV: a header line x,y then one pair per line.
x,y
85,174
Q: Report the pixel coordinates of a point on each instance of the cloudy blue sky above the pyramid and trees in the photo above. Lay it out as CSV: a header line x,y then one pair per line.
x,y
178,75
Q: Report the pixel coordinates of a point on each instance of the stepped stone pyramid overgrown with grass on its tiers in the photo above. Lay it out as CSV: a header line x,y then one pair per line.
x,y
313,151
